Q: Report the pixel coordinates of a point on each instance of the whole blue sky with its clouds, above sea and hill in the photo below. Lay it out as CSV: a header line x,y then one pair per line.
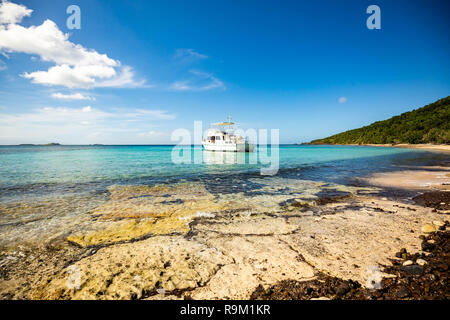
x,y
137,70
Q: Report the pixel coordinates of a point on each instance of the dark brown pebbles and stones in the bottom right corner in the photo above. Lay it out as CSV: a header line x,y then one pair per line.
x,y
427,277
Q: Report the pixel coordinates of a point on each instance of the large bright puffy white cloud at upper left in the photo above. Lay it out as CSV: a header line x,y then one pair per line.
x,y
76,66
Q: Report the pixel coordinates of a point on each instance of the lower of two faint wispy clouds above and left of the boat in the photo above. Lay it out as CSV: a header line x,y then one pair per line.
x,y
200,81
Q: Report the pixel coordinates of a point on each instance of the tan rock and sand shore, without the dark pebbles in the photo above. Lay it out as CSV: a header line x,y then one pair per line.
x,y
239,252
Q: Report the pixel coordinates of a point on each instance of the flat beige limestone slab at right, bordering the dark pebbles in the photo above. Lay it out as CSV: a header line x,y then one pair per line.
x,y
350,243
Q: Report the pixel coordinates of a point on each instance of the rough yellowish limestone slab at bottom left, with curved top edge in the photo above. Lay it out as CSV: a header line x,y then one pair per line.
x,y
136,270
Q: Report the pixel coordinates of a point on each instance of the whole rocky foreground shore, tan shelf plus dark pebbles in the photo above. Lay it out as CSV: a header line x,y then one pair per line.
x,y
286,239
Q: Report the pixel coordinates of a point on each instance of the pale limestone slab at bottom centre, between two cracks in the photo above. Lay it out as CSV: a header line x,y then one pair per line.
x,y
257,260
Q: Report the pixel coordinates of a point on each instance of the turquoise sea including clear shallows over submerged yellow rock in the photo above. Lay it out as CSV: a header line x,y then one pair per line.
x,y
56,191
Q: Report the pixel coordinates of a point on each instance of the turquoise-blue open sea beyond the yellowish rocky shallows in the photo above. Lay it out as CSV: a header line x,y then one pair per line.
x,y
56,170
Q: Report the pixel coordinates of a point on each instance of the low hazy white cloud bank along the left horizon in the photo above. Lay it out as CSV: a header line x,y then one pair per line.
x,y
83,126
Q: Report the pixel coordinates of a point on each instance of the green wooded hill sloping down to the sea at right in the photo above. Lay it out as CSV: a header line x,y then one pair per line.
x,y
429,124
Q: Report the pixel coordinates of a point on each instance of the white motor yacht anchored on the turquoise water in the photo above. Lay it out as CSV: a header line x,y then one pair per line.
x,y
222,137
